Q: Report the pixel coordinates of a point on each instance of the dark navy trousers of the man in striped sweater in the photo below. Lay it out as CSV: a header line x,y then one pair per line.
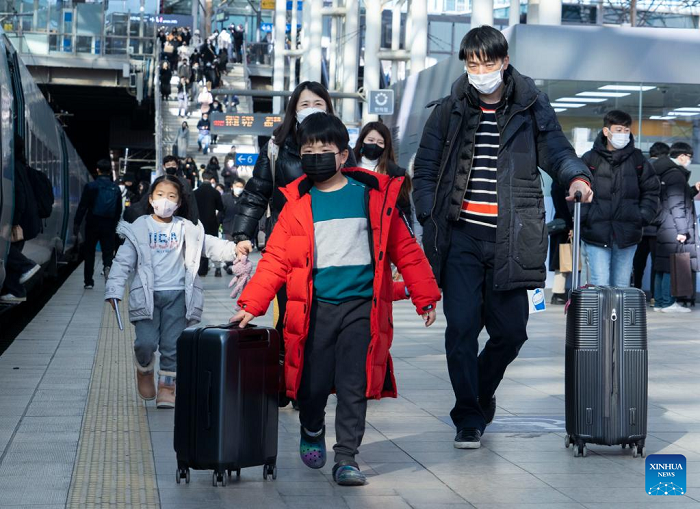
x,y
471,303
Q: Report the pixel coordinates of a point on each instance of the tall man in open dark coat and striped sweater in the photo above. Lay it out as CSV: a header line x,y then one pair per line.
x,y
478,195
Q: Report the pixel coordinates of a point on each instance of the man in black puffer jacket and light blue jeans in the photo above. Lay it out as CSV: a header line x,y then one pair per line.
x,y
626,200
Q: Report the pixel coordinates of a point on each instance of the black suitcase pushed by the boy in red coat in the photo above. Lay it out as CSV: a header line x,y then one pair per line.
x,y
226,401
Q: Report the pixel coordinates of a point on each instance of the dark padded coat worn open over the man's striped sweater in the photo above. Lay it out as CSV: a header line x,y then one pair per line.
x,y
530,138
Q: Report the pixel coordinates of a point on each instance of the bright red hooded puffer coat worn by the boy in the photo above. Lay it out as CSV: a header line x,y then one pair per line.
x,y
288,259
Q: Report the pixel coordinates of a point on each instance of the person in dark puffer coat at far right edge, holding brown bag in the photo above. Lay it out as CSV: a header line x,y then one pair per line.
x,y
677,222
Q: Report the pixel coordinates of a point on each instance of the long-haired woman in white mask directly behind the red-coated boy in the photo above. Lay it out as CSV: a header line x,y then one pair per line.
x,y
262,189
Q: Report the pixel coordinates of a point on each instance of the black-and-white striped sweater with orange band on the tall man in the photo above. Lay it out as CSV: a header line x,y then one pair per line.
x,y
480,206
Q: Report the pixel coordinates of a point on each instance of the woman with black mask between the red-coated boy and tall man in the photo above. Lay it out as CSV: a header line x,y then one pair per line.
x,y
374,151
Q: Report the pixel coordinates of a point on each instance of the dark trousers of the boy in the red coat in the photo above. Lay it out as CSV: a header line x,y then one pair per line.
x,y
335,356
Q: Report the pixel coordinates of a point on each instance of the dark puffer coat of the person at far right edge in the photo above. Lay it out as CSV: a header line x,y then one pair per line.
x,y
676,215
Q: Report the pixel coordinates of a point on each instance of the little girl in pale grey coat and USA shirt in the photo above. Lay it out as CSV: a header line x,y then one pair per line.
x,y
159,261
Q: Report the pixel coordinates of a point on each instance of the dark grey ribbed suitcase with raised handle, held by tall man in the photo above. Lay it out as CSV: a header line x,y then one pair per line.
x,y
606,364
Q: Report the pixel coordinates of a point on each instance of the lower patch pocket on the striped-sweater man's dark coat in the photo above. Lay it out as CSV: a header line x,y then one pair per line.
x,y
530,236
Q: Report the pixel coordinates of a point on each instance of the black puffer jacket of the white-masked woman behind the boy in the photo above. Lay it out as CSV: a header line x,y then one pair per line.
x,y
259,190
